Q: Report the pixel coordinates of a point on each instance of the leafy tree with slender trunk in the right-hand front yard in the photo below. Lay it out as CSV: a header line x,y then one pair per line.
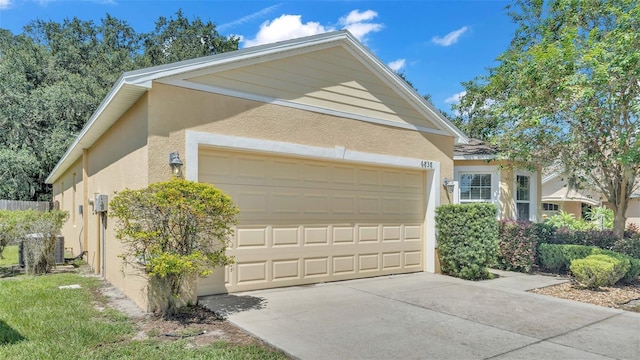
x,y
567,90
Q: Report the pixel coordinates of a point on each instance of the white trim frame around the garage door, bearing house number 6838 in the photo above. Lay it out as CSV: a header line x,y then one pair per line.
x,y
195,139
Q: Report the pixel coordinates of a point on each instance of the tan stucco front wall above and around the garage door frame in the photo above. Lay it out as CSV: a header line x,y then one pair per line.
x,y
174,109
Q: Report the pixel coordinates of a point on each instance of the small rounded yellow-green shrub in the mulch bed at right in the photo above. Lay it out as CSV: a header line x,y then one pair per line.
x,y
595,271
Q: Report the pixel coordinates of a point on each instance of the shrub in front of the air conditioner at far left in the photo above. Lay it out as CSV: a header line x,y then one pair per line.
x,y
37,231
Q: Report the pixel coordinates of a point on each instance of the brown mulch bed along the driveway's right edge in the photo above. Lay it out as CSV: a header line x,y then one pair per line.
x,y
626,297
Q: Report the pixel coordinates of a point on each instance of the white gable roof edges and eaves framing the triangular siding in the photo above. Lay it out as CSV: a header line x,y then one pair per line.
x,y
132,85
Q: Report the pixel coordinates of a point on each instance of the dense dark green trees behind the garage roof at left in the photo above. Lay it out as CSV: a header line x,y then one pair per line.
x,y
54,75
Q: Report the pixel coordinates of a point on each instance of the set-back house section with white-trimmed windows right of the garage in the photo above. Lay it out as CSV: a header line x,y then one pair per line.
x,y
480,177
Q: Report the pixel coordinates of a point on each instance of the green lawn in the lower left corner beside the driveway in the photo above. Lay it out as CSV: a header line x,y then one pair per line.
x,y
40,321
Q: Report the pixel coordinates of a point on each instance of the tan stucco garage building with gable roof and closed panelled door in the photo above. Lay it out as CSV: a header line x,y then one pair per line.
x,y
335,163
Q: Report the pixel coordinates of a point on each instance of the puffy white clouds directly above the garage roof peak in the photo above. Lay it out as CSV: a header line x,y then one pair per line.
x,y
291,26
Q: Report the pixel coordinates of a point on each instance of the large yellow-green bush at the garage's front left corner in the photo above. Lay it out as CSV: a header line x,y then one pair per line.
x,y
174,231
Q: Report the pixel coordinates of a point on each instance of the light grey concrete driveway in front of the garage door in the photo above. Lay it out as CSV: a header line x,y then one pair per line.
x,y
428,316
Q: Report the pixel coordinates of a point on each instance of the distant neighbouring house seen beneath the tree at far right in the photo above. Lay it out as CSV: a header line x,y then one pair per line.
x,y
557,196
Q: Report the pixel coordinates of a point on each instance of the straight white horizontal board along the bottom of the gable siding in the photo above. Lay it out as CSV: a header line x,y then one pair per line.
x,y
291,104
